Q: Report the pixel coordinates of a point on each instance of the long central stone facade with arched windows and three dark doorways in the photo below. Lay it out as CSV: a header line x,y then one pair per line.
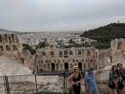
x,y
63,59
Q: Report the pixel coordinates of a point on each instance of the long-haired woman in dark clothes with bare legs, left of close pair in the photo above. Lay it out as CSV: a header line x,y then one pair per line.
x,y
113,80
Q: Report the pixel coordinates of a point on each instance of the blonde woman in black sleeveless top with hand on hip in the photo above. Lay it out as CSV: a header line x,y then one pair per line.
x,y
74,79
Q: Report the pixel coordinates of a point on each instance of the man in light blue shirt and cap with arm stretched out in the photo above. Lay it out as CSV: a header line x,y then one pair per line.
x,y
90,83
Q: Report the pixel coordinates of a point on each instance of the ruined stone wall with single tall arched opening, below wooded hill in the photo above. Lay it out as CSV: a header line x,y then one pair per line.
x,y
118,49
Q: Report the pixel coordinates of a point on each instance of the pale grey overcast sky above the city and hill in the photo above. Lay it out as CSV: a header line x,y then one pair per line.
x,y
59,15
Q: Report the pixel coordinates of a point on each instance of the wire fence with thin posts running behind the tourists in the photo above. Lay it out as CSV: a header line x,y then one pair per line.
x,y
46,83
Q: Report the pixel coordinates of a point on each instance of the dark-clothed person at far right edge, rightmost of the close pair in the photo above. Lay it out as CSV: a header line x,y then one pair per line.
x,y
121,82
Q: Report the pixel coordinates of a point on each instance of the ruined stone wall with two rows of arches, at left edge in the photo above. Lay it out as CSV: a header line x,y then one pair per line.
x,y
9,43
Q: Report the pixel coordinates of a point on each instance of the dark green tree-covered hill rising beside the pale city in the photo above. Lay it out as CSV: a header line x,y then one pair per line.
x,y
105,34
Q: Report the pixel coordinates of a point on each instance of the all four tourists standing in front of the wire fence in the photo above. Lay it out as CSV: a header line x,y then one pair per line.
x,y
116,81
